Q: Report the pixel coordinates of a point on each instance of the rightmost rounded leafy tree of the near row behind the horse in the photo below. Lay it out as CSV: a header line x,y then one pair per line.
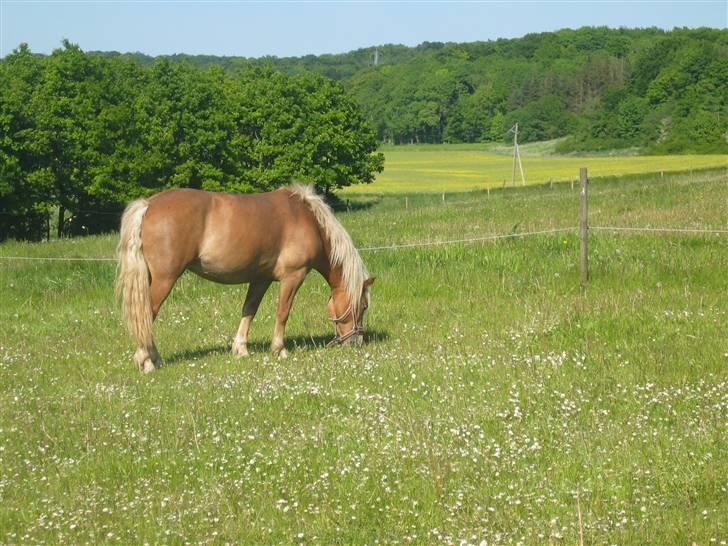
x,y
302,128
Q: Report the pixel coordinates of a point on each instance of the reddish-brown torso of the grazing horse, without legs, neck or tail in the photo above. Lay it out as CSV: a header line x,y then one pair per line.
x,y
226,237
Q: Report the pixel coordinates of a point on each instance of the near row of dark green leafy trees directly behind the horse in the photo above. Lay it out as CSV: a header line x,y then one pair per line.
x,y
81,134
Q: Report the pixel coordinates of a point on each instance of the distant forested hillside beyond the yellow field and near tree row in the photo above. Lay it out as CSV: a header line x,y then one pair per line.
x,y
658,90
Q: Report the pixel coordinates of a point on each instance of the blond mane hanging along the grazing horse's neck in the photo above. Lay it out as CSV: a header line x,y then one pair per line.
x,y
343,252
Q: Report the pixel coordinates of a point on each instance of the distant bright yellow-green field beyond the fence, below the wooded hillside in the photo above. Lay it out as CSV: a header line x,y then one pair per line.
x,y
447,168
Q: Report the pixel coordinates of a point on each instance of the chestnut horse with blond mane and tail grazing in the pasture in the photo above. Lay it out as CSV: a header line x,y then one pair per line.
x,y
255,239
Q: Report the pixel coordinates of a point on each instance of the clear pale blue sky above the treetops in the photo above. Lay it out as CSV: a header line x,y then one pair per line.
x,y
297,28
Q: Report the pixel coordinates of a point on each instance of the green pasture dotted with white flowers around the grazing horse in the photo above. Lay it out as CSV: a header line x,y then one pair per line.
x,y
495,402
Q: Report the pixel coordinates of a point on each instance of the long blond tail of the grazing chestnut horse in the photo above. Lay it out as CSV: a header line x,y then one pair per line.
x,y
132,275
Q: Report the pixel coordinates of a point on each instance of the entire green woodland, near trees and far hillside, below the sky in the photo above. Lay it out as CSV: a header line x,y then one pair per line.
x,y
81,133
